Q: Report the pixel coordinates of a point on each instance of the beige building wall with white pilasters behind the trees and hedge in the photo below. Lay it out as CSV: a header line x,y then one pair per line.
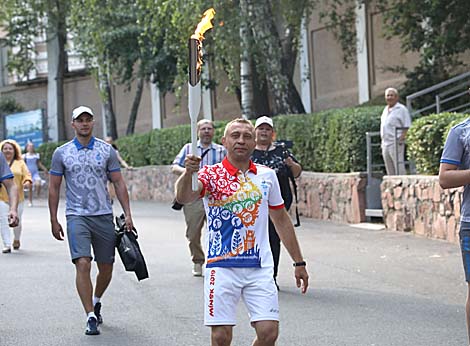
x,y
322,80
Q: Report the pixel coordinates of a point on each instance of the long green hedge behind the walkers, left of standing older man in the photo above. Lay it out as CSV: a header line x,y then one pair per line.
x,y
328,141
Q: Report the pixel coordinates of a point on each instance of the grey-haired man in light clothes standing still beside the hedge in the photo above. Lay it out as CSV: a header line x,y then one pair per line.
x,y
395,115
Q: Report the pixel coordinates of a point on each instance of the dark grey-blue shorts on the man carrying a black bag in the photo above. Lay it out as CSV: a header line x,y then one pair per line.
x,y
84,232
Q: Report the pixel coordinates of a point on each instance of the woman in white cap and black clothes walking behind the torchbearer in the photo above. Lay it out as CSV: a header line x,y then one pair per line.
x,y
286,166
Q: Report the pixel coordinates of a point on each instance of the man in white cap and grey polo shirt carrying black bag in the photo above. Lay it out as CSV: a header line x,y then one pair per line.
x,y
86,163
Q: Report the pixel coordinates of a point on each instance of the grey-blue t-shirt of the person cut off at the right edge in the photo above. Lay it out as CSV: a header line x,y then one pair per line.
x,y
457,152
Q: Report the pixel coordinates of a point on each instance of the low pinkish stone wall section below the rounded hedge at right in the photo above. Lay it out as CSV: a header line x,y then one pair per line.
x,y
418,204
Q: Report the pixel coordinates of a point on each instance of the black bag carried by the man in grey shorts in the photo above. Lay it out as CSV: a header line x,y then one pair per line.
x,y
129,249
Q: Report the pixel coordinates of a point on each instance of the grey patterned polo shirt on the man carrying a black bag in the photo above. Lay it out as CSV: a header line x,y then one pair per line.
x,y
85,169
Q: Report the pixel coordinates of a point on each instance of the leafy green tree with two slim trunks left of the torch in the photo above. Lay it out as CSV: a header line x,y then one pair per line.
x,y
121,37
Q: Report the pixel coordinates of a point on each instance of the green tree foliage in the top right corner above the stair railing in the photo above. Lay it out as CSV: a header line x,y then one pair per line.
x,y
439,30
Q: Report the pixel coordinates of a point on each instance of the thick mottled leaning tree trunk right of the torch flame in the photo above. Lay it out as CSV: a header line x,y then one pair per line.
x,y
260,18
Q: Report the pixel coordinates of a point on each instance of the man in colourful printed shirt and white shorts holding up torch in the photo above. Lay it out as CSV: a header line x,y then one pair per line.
x,y
239,198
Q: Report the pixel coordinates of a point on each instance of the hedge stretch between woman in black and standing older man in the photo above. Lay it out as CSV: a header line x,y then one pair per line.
x,y
333,140
